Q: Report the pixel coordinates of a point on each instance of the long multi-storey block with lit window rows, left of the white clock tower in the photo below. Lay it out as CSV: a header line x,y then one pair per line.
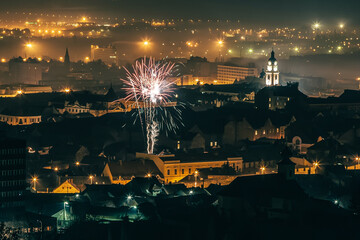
x,y
228,74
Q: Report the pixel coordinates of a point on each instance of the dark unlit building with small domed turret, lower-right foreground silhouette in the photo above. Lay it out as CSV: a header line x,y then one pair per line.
x,y
273,196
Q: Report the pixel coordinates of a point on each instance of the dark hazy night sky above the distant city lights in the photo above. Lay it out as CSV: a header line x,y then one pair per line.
x,y
262,12
